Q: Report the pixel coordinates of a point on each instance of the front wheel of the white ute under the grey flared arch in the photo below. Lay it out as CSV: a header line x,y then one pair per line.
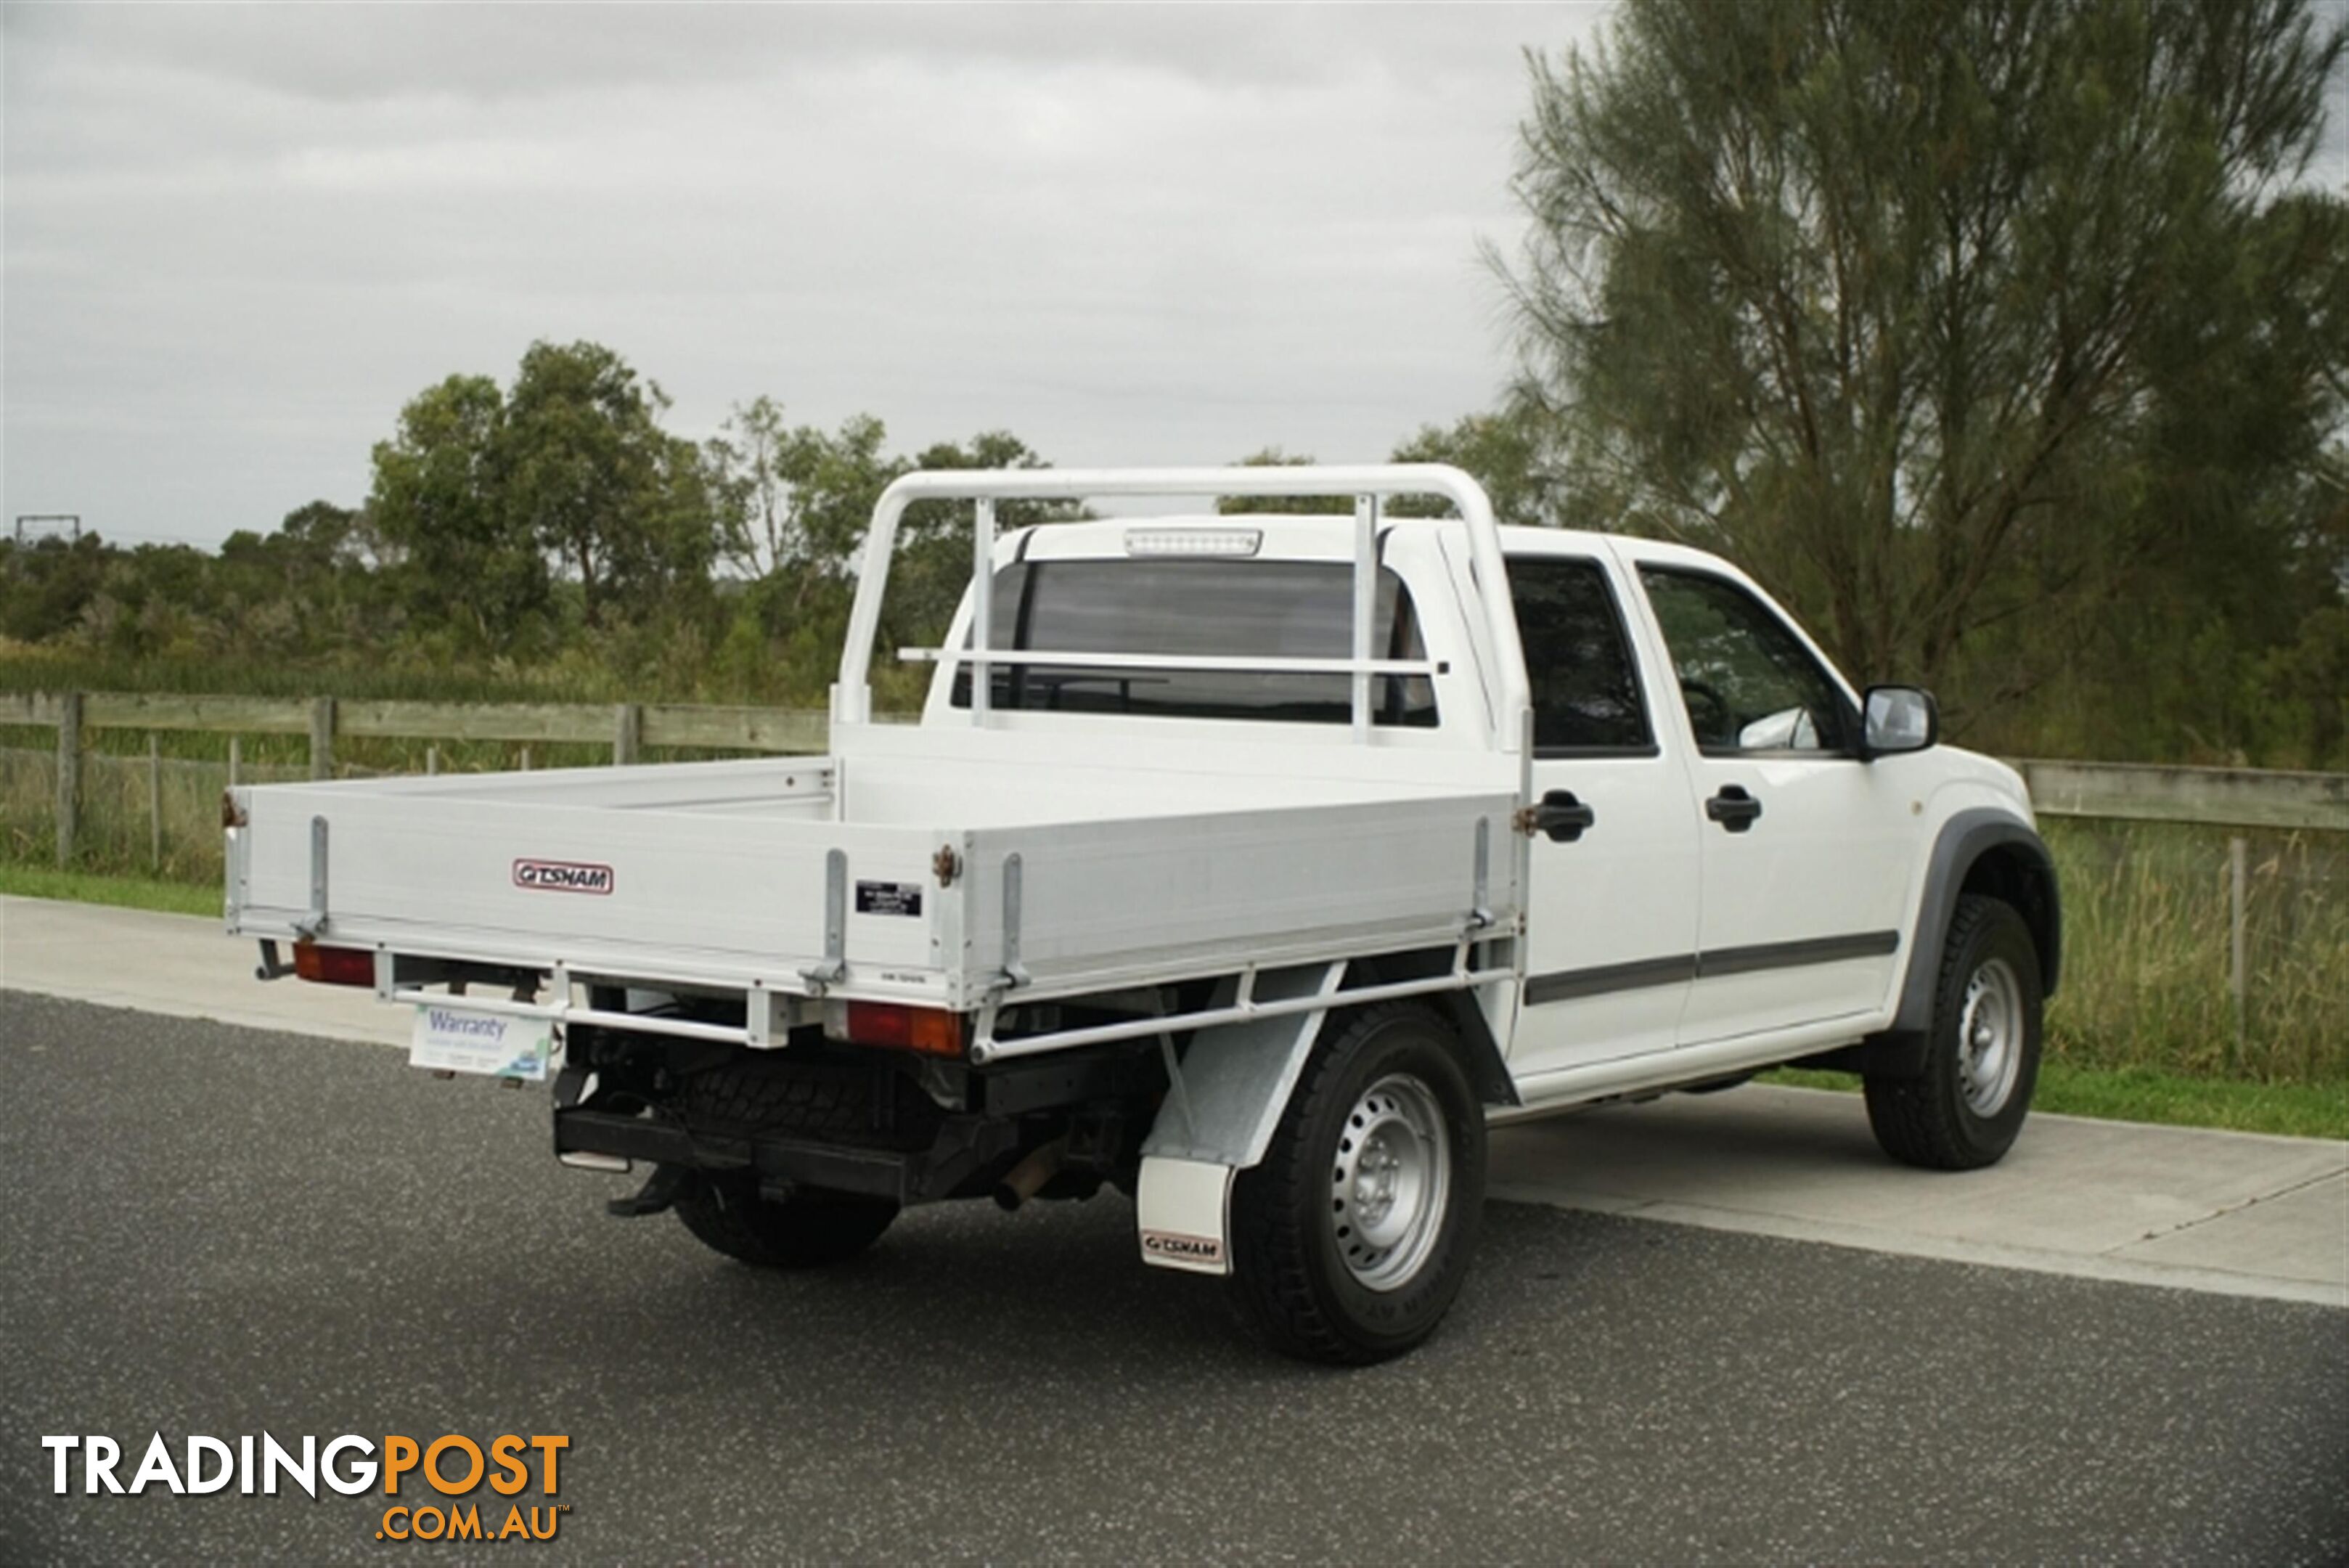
x,y
1981,1061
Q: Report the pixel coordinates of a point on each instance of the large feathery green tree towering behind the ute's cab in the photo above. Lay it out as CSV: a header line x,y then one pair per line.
x,y
1911,307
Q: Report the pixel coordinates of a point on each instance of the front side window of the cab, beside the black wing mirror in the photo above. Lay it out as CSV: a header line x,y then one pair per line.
x,y
1744,678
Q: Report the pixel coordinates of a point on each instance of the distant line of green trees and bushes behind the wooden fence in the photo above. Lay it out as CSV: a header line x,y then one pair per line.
x,y
511,547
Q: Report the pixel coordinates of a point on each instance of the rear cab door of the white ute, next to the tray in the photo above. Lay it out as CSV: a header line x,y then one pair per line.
x,y
1613,899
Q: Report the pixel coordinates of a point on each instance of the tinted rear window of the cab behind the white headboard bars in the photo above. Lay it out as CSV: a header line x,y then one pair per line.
x,y
1180,608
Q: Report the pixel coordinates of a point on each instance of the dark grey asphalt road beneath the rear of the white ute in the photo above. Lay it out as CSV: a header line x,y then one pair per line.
x,y
215,1231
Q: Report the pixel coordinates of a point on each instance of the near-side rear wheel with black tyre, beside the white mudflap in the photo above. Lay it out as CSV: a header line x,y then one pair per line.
x,y
1354,1233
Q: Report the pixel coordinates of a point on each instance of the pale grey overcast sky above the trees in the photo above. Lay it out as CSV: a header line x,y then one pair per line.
x,y
238,239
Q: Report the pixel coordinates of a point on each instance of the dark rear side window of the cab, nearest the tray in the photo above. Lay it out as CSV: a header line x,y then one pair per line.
x,y
1577,659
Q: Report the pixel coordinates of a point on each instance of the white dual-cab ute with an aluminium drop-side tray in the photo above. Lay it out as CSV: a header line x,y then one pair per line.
x,y
1246,864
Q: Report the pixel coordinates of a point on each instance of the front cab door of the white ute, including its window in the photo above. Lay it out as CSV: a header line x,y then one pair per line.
x,y
1805,847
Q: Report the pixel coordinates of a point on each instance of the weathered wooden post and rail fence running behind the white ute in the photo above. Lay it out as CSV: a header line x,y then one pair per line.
x,y
2106,791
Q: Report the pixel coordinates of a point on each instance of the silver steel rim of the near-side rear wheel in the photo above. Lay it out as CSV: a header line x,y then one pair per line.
x,y
1389,1184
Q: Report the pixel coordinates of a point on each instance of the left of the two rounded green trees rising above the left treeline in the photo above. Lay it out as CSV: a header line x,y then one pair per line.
x,y
464,556
